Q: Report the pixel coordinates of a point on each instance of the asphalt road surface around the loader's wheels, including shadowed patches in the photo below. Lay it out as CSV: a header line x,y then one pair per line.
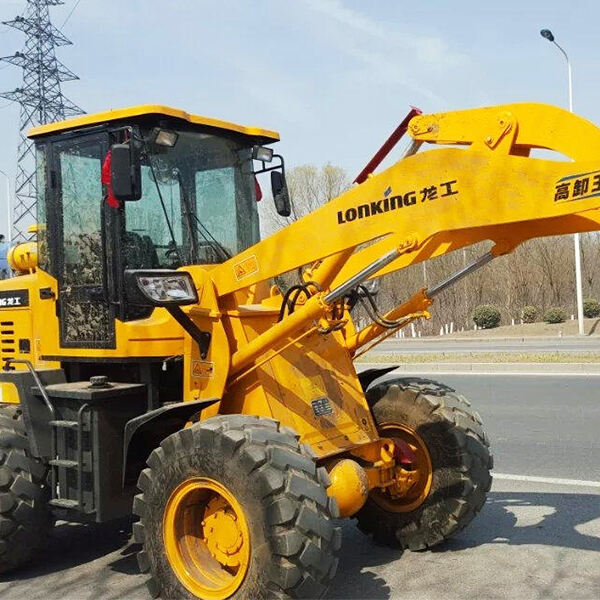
x,y
532,540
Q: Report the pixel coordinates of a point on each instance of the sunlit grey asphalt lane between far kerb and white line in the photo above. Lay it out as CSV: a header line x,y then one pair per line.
x,y
540,425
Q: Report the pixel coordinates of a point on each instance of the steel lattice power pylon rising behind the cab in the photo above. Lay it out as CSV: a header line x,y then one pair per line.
x,y
40,98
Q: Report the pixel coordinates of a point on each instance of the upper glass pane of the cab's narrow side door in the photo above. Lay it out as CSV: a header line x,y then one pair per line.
x,y
80,167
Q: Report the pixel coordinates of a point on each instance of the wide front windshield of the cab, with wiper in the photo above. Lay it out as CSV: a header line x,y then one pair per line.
x,y
198,204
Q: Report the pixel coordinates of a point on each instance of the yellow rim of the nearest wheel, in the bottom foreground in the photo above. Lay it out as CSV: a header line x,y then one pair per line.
x,y
206,538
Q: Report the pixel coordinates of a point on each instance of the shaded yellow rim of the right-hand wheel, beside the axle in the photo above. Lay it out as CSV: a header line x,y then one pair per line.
x,y
422,473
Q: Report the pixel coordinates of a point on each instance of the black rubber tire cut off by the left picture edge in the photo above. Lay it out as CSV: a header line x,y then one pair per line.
x,y
25,518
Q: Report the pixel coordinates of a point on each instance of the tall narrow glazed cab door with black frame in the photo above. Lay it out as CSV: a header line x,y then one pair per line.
x,y
87,317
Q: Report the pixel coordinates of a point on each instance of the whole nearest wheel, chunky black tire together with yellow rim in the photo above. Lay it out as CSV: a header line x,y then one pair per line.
x,y
271,480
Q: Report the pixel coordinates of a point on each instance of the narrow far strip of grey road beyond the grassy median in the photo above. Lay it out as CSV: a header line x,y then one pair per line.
x,y
533,345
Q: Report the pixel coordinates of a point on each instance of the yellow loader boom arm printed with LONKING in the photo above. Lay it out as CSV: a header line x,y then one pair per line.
x,y
445,198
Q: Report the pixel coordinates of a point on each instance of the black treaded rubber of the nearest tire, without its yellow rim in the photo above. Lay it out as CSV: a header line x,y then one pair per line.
x,y
283,490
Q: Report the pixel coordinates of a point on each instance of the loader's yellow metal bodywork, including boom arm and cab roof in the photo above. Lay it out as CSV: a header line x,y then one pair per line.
x,y
299,370
